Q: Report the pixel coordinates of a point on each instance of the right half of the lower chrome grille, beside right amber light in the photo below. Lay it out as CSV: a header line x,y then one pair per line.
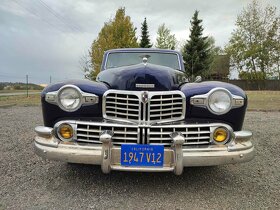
x,y
194,134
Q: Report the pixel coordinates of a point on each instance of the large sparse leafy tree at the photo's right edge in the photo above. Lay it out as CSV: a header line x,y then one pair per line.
x,y
255,43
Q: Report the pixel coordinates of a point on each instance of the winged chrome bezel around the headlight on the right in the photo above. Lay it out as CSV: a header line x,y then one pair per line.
x,y
204,100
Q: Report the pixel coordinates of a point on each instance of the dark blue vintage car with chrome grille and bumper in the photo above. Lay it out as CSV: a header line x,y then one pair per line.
x,y
142,114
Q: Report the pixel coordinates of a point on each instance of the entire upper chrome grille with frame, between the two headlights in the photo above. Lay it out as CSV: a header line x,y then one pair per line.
x,y
140,106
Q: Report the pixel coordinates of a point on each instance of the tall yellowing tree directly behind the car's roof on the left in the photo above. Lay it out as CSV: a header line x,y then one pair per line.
x,y
117,33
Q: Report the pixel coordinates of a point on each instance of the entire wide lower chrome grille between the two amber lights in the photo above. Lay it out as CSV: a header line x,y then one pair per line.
x,y
195,135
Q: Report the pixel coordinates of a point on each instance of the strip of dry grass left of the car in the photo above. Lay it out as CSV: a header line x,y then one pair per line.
x,y
20,100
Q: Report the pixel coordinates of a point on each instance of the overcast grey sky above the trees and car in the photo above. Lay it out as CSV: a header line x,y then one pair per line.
x,y
46,39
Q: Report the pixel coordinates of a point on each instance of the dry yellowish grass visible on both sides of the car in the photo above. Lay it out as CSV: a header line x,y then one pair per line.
x,y
258,100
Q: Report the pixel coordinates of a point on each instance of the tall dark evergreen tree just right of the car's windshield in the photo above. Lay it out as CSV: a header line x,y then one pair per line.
x,y
196,52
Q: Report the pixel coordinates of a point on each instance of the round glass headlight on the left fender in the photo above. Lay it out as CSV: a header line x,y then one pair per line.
x,y
69,98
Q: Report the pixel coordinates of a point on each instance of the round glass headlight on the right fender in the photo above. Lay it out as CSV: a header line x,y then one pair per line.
x,y
220,101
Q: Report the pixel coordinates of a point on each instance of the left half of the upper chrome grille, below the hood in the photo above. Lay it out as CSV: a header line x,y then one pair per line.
x,y
122,106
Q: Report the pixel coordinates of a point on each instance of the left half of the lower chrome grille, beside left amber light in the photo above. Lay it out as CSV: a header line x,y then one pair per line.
x,y
89,133
